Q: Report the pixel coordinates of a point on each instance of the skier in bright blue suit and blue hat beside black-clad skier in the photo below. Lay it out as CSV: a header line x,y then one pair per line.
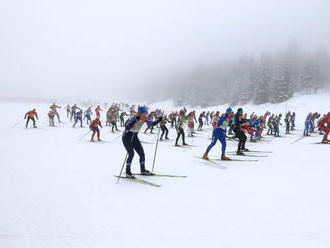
x,y
219,133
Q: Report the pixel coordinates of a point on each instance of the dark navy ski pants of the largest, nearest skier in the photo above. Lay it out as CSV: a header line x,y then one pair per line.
x,y
131,143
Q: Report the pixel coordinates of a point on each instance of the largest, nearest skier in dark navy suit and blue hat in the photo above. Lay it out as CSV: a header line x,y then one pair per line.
x,y
131,141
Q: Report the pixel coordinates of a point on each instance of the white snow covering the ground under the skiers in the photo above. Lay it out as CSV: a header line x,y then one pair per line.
x,y
57,191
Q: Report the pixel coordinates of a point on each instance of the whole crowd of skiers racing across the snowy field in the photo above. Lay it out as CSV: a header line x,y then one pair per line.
x,y
229,125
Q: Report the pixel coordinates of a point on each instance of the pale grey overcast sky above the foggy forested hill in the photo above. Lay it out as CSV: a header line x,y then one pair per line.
x,y
105,49
